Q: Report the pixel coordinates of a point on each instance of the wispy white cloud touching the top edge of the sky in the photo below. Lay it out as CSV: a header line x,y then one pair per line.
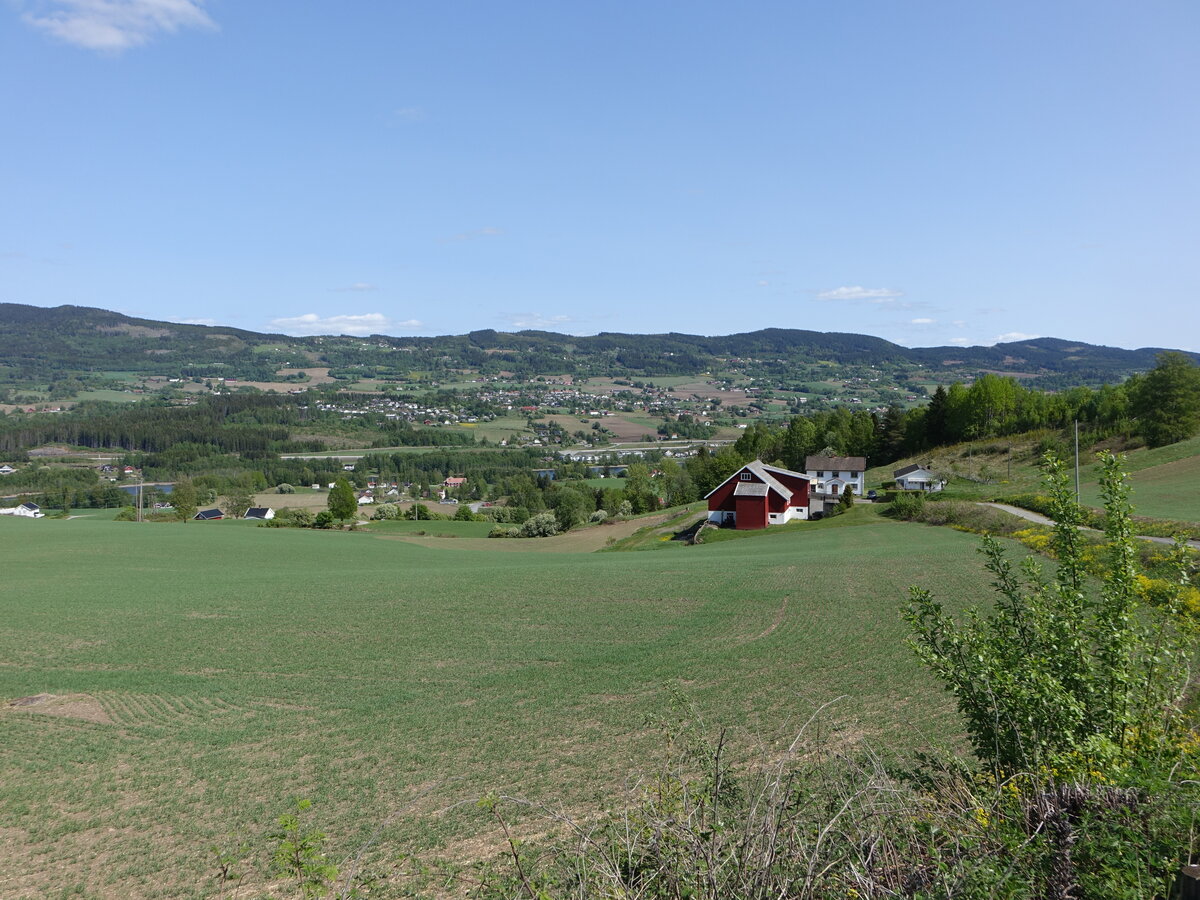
x,y
115,26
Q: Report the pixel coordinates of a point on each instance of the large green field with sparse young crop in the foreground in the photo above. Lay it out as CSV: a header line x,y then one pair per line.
x,y
205,675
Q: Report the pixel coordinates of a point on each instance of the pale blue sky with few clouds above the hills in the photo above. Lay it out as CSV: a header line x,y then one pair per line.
x,y
932,173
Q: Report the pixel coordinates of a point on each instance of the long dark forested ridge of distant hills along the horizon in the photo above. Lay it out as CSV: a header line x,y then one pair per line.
x,y
46,344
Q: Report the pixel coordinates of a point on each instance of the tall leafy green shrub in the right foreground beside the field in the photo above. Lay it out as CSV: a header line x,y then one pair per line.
x,y
1063,677
